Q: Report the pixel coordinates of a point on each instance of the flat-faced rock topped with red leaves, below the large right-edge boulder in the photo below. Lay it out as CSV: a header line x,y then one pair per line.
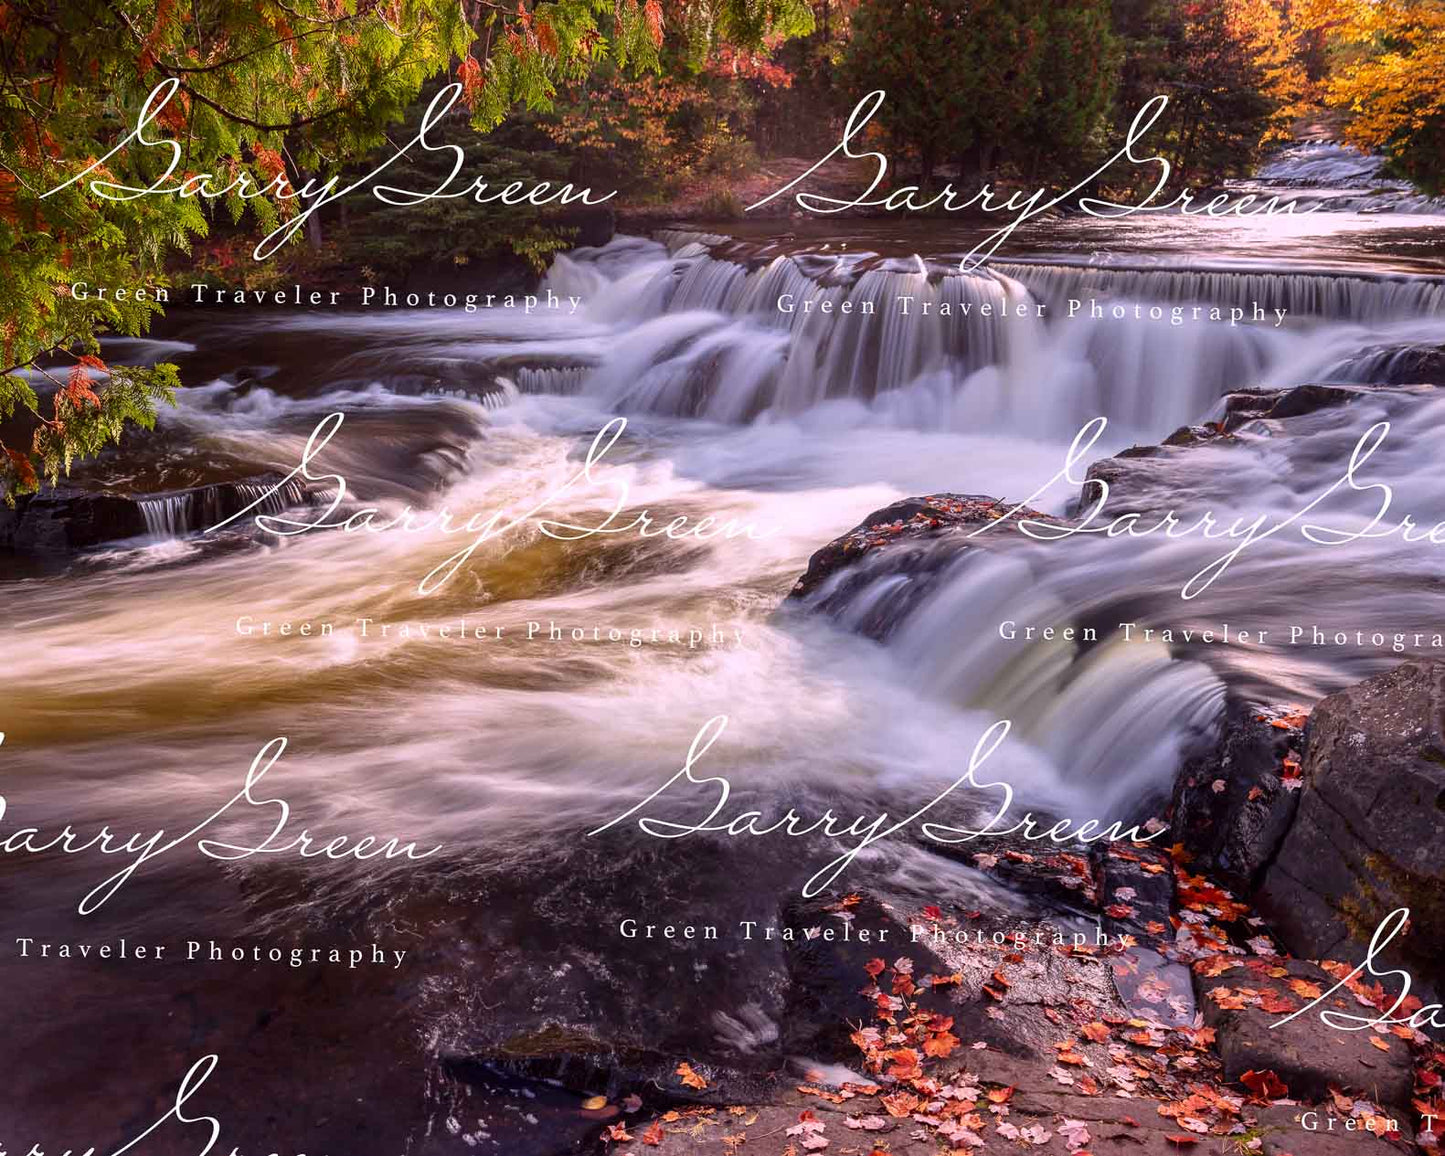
x,y
1306,1053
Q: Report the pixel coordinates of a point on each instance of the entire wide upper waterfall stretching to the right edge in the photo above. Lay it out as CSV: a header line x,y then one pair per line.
x,y
712,327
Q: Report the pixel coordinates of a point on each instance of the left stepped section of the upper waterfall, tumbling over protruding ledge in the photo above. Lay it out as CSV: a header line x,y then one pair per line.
x,y
790,335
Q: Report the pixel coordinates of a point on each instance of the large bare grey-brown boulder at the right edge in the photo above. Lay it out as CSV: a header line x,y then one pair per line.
x,y
1371,824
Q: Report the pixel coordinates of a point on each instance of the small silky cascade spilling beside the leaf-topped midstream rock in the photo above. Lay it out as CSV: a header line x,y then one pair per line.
x,y
1079,704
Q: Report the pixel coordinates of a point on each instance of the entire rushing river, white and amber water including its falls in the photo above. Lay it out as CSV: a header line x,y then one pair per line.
x,y
145,678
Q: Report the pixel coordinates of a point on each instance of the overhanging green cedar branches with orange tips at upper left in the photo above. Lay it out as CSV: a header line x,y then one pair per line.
x,y
261,99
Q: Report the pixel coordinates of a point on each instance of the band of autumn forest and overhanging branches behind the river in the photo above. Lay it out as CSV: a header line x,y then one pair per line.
x,y
686,108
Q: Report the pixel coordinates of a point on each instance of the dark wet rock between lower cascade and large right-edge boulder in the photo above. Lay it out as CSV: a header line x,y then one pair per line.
x,y
1232,808
